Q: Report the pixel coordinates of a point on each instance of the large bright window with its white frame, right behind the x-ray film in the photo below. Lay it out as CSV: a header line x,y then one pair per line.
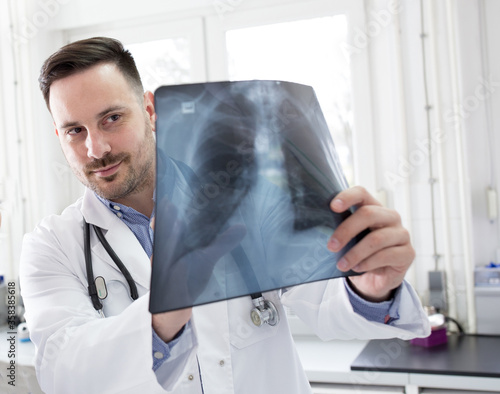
x,y
305,43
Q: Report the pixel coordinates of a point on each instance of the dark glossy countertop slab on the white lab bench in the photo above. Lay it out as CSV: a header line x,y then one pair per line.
x,y
465,355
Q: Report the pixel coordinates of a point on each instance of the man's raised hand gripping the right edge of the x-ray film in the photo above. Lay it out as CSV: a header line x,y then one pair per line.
x,y
384,254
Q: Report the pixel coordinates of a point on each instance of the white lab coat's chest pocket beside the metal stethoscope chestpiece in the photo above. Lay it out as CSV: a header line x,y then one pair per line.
x,y
243,332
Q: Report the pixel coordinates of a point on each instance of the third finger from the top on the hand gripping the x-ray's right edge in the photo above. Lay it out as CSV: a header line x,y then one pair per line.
x,y
371,244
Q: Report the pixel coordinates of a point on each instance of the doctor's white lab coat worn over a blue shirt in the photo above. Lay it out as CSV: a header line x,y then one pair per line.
x,y
77,351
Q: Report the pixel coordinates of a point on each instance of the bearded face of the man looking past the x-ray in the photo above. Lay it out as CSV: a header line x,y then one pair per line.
x,y
105,131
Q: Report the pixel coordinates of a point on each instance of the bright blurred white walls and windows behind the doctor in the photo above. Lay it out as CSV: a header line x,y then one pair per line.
x,y
410,90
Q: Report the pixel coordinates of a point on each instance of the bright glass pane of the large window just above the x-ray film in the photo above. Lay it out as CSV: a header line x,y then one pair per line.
x,y
306,51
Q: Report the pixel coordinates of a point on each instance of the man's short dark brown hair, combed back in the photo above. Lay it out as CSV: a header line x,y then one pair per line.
x,y
84,54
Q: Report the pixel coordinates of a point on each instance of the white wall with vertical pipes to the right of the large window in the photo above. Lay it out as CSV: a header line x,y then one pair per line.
x,y
462,91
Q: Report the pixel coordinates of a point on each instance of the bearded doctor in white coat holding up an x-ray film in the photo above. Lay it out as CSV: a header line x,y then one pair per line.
x,y
105,125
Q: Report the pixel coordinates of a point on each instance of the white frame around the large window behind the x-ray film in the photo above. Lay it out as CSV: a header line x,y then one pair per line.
x,y
364,161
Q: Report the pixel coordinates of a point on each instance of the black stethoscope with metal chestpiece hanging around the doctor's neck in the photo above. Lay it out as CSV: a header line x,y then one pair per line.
x,y
263,312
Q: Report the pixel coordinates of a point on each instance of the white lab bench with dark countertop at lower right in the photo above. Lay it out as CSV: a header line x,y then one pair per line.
x,y
377,363
